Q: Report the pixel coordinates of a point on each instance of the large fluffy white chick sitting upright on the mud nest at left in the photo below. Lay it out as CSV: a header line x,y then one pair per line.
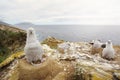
x,y
33,49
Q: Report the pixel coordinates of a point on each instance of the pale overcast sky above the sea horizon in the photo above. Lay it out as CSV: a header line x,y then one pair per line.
x,y
88,12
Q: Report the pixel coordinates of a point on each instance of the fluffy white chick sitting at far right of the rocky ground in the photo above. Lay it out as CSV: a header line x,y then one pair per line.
x,y
109,51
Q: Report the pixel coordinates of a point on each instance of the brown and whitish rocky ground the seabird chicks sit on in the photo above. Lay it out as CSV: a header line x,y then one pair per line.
x,y
65,61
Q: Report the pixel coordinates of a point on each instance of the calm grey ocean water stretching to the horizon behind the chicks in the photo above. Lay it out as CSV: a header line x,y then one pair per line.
x,y
79,32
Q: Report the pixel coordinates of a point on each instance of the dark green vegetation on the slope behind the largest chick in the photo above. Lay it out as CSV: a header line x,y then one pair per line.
x,y
10,42
